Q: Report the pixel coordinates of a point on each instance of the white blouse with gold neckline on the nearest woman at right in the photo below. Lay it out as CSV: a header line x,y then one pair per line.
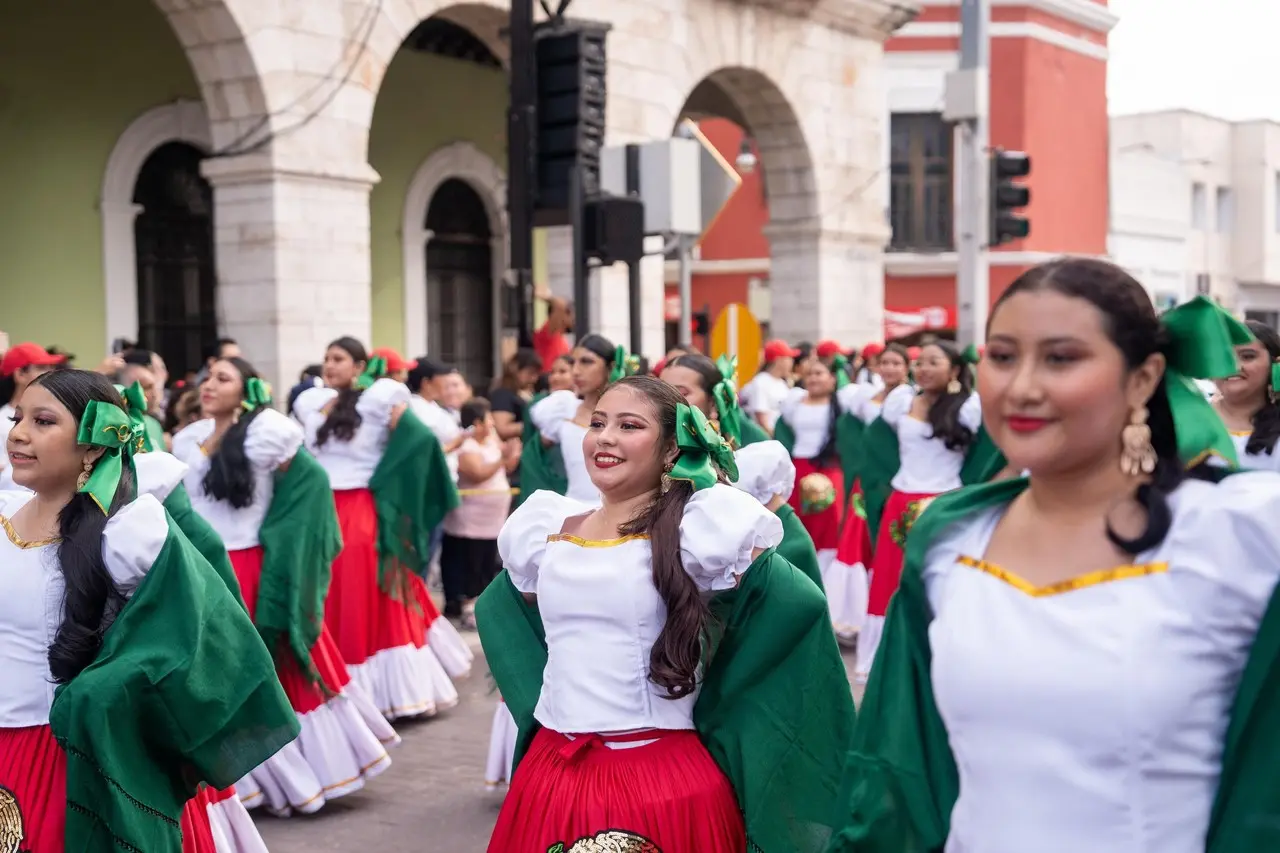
x,y
1091,715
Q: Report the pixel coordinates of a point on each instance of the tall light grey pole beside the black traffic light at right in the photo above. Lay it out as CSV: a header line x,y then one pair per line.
x,y
973,294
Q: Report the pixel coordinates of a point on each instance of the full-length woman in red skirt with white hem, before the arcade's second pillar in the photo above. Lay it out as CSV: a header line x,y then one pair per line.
x,y
391,490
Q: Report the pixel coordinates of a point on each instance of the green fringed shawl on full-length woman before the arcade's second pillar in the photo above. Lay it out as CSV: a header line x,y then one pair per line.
x,y
413,491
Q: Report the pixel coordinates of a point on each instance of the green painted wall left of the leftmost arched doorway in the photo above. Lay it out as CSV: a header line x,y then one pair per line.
x,y
74,76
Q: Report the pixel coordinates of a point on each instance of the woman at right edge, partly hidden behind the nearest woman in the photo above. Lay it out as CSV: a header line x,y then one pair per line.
x,y
1247,402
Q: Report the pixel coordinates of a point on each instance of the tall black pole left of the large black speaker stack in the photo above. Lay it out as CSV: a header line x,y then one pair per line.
x,y
520,165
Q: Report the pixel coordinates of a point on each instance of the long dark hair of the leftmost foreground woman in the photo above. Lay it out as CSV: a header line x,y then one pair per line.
x,y
92,600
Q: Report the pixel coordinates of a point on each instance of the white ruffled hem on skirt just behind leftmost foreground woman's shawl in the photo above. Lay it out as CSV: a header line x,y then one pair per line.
x,y
344,743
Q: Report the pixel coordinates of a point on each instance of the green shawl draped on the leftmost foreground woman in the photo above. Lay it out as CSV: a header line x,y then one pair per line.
x,y
181,690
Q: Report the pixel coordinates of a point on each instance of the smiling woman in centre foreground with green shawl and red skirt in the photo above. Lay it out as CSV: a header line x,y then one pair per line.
x,y
638,740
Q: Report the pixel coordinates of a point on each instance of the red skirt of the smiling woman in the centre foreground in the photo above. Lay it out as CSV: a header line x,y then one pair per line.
x,y
665,797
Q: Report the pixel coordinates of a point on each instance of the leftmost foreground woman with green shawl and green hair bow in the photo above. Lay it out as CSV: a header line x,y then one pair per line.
x,y
181,690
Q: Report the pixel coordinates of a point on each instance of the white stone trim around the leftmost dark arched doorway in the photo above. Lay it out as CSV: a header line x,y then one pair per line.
x,y
179,122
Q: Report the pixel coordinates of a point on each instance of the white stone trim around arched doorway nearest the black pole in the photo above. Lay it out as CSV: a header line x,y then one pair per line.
x,y
465,162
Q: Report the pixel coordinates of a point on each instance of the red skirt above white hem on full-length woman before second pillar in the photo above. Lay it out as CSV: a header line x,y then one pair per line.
x,y
362,618
